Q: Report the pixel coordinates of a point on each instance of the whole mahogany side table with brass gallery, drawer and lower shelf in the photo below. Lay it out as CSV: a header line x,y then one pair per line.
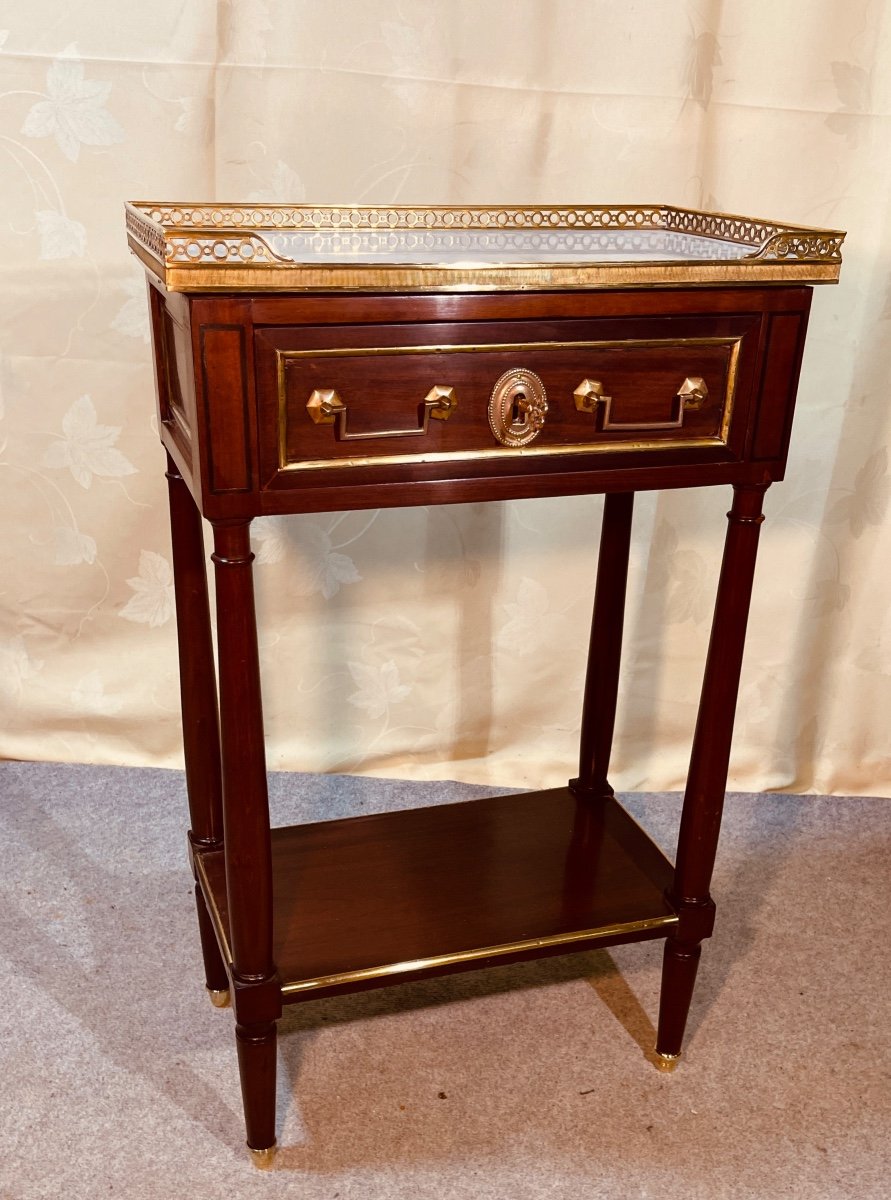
x,y
318,359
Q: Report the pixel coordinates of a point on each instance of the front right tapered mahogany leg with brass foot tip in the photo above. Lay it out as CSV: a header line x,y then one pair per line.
x,y
704,799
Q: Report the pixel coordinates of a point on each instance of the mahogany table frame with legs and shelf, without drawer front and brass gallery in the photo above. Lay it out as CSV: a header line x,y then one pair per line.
x,y
246,909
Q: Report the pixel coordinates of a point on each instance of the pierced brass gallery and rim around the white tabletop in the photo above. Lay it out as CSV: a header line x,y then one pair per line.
x,y
210,248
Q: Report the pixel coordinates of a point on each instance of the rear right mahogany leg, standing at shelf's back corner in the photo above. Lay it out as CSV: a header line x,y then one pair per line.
x,y
599,717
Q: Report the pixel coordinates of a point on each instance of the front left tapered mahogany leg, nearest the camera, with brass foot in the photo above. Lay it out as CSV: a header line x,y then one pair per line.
x,y
247,844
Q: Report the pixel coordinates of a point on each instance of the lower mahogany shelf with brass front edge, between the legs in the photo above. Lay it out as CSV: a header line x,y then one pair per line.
x,y
386,898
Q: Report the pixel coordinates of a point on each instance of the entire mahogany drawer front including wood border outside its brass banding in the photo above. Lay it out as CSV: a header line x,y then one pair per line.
x,y
379,399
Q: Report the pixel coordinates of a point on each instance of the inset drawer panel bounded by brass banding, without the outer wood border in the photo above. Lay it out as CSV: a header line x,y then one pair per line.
x,y
672,393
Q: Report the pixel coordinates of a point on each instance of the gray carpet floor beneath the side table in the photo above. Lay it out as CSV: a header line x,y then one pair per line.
x,y
119,1079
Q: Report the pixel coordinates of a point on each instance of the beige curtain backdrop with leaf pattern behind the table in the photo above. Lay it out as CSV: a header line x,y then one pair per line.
x,y
439,643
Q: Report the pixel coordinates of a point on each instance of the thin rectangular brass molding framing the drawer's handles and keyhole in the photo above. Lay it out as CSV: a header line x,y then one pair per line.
x,y
614,447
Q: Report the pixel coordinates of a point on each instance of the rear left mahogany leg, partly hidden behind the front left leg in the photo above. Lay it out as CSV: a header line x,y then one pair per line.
x,y
201,731
